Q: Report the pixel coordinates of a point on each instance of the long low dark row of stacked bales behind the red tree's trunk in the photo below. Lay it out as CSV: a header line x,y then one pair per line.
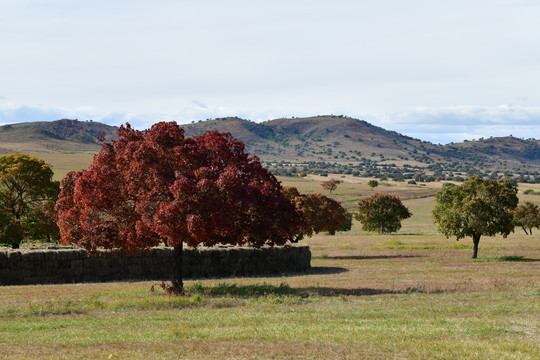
x,y
37,266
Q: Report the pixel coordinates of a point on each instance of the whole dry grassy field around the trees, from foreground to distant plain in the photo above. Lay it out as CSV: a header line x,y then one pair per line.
x,y
409,295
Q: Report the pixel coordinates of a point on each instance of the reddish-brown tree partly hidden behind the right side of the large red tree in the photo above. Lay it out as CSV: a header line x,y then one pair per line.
x,y
319,213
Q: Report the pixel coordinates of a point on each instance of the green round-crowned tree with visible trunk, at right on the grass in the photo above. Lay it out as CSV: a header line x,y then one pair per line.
x,y
475,208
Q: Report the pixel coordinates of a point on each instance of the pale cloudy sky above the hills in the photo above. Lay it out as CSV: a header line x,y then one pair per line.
x,y
438,71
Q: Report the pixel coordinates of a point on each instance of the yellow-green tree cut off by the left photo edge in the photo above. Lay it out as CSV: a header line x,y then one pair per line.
x,y
27,196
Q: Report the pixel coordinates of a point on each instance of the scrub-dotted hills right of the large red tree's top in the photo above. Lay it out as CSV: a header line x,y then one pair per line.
x,y
343,140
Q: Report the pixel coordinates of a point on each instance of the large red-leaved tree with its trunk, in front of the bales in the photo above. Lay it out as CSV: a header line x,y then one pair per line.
x,y
158,186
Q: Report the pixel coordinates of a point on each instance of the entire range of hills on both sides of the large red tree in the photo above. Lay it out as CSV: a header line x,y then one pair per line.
x,y
320,142
